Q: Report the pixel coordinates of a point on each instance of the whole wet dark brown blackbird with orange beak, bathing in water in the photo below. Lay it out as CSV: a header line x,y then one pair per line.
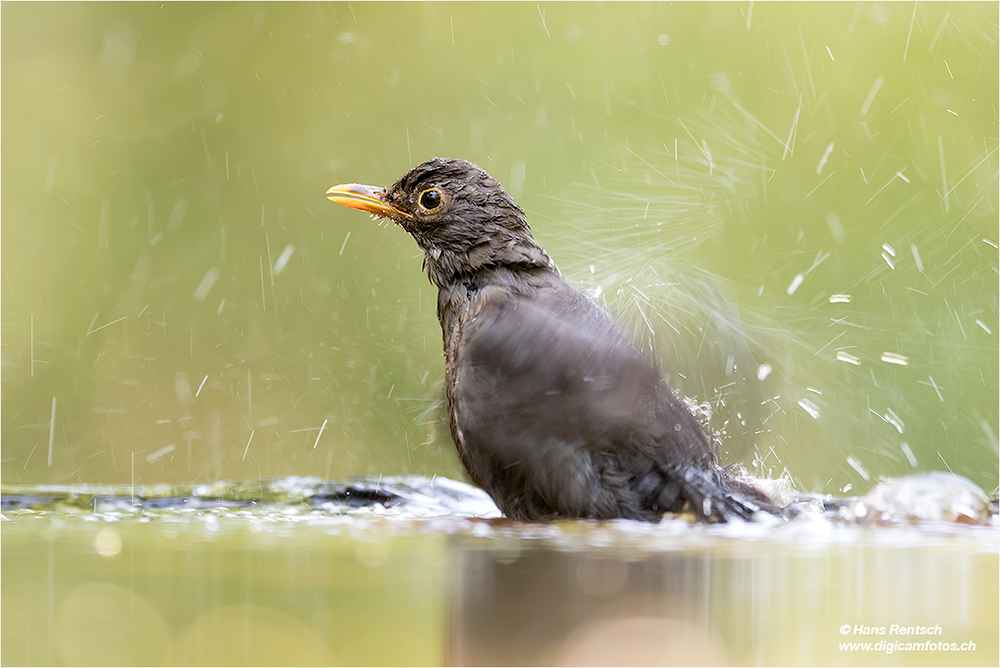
x,y
553,411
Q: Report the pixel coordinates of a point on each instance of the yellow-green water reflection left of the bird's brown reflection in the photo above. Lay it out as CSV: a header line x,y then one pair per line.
x,y
214,588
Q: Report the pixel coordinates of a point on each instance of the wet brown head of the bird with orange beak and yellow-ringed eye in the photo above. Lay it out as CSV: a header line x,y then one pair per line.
x,y
459,215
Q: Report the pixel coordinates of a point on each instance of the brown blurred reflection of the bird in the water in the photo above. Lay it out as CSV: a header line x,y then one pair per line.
x,y
544,607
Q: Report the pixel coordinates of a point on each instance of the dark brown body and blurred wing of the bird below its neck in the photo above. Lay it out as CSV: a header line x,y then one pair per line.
x,y
556,414
